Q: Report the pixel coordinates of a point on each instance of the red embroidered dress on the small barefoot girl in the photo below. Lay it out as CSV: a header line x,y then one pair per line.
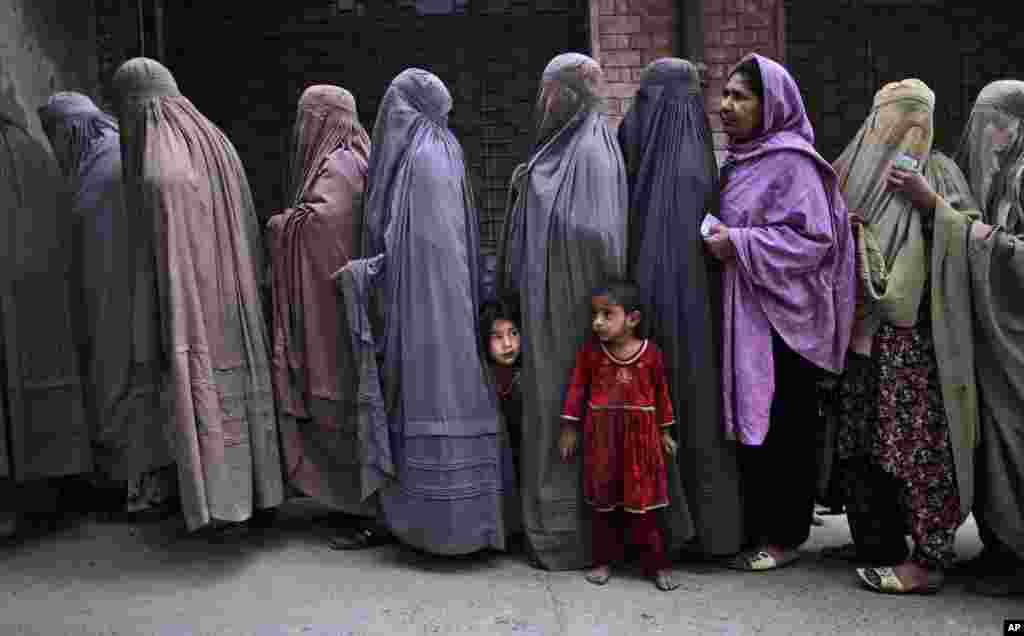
x,y
627,408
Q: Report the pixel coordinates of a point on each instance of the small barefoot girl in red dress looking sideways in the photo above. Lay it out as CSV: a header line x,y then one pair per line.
x,y
619,398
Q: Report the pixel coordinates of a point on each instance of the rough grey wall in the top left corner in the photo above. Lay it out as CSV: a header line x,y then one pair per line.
x,y
46,47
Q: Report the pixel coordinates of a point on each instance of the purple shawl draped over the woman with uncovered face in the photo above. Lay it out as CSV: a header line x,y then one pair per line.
x,y
794,271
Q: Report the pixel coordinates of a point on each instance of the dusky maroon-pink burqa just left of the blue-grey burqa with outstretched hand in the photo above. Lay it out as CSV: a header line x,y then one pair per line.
x,y
315,373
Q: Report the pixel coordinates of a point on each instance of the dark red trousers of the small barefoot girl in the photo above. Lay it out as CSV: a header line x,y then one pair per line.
x,y
610,544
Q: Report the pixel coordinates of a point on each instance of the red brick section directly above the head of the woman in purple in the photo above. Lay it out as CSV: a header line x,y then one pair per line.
x,y
733,29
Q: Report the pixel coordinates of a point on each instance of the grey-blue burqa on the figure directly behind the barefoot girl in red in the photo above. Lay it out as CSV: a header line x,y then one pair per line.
x,y
566,232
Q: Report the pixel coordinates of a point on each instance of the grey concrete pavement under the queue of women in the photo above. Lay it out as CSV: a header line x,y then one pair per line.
x,y
121,579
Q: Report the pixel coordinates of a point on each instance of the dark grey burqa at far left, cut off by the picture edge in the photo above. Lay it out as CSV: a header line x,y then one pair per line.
x,y
44,430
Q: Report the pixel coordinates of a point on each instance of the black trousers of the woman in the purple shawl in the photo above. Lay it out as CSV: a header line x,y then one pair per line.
x,y
780,477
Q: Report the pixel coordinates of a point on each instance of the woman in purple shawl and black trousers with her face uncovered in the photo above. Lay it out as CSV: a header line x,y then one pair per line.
x,y
789,301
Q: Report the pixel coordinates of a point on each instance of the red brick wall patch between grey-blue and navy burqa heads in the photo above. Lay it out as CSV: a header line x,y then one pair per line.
x,y
626,36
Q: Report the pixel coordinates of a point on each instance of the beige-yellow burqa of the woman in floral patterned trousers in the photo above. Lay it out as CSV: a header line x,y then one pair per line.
x,y
895,256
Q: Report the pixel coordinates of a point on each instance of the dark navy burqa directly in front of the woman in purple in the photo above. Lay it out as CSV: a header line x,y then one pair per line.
x,y
670,160
